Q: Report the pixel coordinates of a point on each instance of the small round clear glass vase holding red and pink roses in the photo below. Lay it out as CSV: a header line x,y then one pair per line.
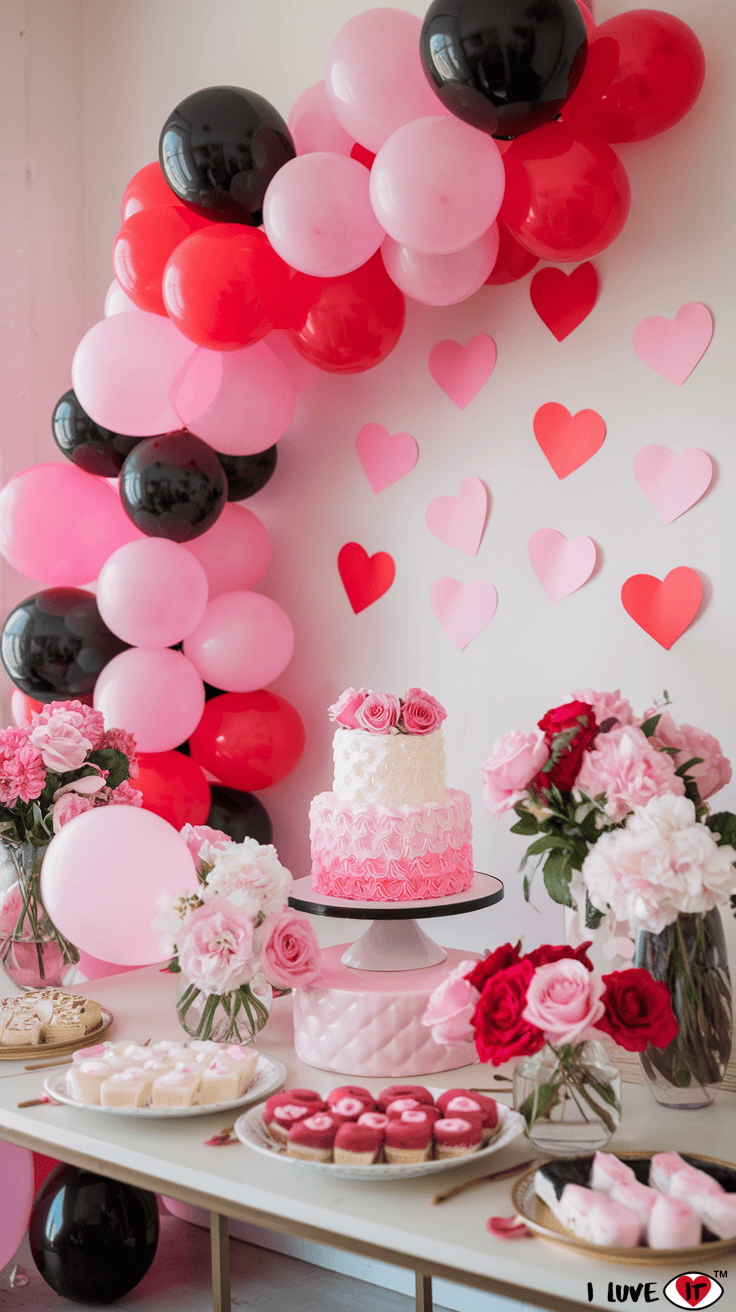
x,y
570,1097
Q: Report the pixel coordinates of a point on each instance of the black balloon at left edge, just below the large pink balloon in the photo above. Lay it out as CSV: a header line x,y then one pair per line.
x,y
56,644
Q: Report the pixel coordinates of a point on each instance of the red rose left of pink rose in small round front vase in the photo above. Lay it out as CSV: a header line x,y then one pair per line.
x,y
501,1031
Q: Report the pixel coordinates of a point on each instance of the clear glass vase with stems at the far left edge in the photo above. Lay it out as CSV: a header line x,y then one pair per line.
x,y
32,951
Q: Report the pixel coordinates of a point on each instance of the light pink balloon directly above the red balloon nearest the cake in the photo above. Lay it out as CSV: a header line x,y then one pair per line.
x,y
243,644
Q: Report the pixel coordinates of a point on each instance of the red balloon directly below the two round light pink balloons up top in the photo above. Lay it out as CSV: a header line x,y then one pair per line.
x,y
347,325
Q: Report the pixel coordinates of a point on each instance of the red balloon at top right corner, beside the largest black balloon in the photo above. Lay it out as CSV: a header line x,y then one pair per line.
x,y
645,72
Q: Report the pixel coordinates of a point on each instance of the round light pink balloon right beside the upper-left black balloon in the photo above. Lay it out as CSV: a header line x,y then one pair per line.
x,y
318,215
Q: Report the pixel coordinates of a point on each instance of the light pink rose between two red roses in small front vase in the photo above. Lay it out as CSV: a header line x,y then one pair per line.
x,y
565,1000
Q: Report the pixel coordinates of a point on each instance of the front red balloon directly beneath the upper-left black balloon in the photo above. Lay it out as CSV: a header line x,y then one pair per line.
x,y
225,287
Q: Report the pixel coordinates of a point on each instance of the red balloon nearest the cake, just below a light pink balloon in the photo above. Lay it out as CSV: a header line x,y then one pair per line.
x,y
249,741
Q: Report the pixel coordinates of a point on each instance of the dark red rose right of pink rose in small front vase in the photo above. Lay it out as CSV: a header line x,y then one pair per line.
x,y
638,1011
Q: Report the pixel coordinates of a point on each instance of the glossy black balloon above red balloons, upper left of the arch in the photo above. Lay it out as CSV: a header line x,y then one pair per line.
x,y
220,150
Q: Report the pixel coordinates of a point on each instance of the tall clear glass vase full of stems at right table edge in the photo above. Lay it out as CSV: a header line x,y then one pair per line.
x,y
691,957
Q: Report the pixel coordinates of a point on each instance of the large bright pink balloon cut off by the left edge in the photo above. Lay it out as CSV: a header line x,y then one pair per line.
x,y
58,524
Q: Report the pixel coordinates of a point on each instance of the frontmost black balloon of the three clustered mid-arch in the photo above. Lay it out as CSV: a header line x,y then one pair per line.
x,y
174,486
